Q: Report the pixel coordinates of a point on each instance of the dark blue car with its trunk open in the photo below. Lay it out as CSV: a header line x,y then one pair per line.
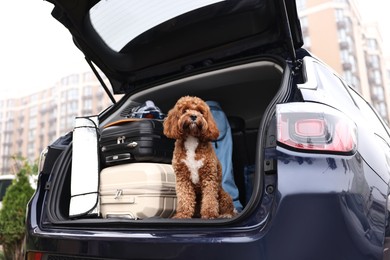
x,y
311,157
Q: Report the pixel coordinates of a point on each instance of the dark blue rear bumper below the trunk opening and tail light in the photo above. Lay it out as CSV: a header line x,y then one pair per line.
x,y
322,209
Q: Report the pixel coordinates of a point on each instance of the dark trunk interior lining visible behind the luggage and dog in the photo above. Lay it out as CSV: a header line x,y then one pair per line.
x,y
243,91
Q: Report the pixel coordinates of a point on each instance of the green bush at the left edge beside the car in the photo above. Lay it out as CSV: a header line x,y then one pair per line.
x,y
13,212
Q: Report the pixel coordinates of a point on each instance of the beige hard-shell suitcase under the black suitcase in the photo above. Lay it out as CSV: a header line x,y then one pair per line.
x,y
137,191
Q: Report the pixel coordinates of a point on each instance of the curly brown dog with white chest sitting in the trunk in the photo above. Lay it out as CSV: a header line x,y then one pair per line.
x,y
197,168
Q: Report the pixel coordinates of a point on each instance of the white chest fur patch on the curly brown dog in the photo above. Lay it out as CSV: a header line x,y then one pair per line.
x,y
193,165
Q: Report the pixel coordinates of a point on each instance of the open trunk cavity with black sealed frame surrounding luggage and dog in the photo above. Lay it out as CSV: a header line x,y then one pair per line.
x,y
246,92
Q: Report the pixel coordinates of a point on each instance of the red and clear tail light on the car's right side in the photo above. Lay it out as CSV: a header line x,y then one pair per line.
x,y
312,127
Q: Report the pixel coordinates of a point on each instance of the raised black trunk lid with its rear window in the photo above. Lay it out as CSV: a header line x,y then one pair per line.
x,y
137,43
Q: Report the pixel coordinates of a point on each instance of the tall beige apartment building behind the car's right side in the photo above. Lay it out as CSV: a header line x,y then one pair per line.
x,y
335,32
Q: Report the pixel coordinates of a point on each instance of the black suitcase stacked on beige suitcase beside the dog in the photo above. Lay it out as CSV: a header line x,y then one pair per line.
x,y
136,178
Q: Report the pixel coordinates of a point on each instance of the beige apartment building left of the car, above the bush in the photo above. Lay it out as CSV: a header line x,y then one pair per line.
x,y
29,123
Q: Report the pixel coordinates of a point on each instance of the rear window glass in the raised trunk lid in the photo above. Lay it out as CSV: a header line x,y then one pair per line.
x,y
119,22
